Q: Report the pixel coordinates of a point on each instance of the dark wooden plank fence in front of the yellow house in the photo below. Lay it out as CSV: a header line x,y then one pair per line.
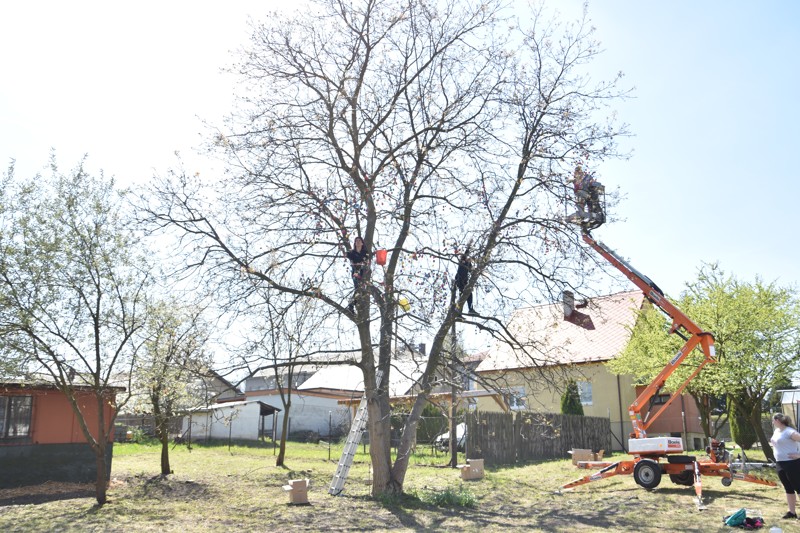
x,y
507,438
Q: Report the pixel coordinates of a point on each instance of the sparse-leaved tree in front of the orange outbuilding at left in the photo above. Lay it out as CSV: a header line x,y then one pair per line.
x,y
72,292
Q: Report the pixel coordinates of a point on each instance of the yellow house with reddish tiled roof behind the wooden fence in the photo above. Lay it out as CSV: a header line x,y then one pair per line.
x,y
555,343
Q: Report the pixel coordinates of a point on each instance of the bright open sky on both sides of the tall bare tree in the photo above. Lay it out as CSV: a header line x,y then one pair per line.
x,y
712,175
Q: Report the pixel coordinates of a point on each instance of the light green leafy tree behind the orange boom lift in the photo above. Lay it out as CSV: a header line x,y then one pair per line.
x,y
756,328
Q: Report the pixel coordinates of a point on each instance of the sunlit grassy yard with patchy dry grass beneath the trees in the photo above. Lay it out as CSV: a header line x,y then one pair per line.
x,y
217,488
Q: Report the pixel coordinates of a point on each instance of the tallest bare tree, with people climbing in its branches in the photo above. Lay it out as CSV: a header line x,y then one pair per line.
x,y
427,128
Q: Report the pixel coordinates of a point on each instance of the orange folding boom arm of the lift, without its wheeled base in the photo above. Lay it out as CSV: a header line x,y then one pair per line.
x,y
681,325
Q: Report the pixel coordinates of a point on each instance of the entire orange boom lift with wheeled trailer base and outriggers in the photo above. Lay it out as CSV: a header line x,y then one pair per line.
x,y
655,456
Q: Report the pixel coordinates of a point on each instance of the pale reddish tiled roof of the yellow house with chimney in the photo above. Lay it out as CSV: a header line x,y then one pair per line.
x,y
595,332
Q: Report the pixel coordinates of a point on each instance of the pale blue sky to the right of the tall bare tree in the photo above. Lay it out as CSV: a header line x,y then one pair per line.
x,y
712,175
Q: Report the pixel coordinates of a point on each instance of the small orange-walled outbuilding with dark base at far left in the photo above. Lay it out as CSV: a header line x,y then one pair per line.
x,y
40,437
